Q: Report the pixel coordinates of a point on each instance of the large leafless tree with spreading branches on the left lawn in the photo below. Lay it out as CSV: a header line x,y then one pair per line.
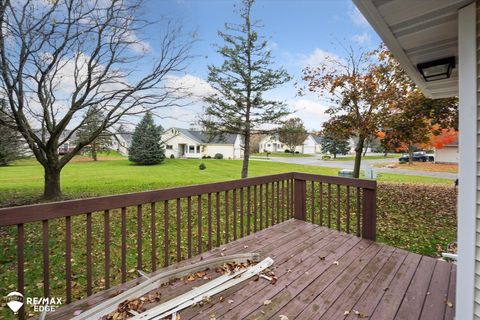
x,y
59,58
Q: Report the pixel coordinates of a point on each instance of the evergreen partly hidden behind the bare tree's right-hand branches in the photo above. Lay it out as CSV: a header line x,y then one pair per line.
x,y
92,122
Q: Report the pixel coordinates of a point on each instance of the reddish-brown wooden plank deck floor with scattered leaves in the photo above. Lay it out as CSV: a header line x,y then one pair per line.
x,y
322,274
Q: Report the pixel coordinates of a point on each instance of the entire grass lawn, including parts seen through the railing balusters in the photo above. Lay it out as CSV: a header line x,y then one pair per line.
x,y
418,217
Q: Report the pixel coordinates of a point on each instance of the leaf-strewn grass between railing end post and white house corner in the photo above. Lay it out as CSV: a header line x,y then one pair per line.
x,y
417,218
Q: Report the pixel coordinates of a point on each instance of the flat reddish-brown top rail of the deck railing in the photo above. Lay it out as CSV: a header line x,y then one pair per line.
x,y
52,210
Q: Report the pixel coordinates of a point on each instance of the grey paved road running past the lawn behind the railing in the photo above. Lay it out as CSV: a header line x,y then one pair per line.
x,y
317,161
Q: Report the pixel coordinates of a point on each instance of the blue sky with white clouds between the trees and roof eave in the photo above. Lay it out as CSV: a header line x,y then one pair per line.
x,y
299,32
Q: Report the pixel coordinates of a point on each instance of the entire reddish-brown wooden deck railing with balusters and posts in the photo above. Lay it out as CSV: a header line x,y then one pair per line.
x,y
85,243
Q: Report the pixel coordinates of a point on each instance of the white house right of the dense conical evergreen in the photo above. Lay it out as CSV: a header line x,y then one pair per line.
x,y
184,143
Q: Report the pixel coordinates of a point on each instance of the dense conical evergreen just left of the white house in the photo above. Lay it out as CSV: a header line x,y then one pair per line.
x,y
146,147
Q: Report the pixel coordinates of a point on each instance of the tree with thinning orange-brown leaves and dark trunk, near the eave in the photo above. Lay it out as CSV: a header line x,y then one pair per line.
x,y
361,89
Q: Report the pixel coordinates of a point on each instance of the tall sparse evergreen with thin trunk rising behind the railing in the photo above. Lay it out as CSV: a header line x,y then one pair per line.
x,y
238,106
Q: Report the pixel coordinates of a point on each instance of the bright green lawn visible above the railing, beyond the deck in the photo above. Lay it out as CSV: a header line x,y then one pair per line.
x,y
22,182
